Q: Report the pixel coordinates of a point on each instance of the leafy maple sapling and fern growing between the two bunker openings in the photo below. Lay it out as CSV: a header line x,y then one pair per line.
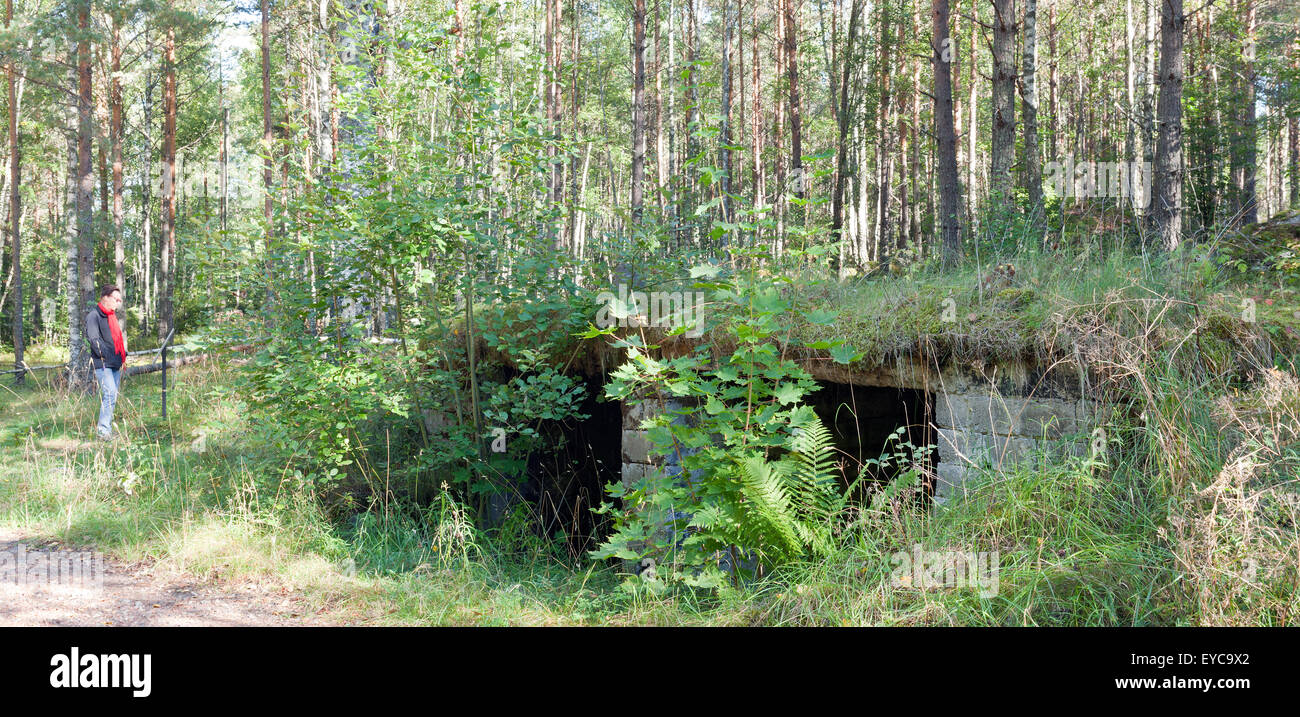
x,y
748,470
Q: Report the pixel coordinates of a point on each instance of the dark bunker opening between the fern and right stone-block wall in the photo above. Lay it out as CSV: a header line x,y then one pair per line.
x,y
864,421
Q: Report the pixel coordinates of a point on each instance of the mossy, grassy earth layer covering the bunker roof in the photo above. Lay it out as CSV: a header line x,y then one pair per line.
x,y
944,314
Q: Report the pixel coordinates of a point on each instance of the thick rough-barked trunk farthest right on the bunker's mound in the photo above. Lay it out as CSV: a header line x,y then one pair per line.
x,y
1167,199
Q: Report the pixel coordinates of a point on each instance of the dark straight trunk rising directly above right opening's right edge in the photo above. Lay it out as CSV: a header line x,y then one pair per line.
x,y
948,225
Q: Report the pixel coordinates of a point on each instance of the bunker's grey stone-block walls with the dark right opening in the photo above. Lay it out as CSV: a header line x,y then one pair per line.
x,y
980,415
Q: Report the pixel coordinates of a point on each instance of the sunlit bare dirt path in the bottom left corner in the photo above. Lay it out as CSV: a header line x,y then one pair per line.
x,y
75,589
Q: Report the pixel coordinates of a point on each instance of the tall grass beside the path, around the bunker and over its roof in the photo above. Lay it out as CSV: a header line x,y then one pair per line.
x,y
1188,518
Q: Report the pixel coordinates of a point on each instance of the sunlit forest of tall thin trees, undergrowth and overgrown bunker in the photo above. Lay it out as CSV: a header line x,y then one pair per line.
x,y
661,312
